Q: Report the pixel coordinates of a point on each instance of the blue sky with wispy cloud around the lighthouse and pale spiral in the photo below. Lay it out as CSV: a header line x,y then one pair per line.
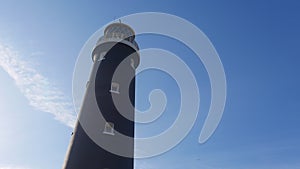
x,y
258,43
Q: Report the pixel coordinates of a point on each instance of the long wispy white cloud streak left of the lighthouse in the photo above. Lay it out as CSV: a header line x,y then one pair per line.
x,y
41,94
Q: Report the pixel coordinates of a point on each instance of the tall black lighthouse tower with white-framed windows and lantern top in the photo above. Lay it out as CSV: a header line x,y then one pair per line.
x,y
106,120
